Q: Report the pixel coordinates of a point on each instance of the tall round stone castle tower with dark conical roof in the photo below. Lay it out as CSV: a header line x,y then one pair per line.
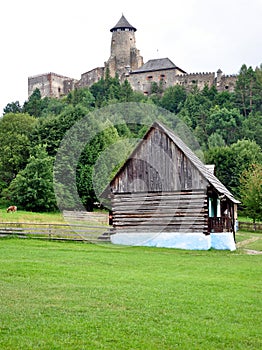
x,y
124,54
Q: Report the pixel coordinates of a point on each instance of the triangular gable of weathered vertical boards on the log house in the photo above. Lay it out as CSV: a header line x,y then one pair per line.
x,y
158,165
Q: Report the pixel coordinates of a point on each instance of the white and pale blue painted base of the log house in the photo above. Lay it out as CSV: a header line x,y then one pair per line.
x,y
190,241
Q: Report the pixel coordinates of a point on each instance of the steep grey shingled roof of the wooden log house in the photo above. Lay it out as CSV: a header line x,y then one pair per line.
x,y
201,167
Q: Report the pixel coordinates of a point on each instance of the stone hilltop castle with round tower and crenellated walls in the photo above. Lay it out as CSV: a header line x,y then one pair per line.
x,y
125,61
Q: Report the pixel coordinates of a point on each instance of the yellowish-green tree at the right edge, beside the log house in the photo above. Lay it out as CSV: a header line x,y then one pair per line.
x,y
251,192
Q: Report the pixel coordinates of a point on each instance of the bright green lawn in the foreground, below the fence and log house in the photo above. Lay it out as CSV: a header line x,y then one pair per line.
x,y
57,295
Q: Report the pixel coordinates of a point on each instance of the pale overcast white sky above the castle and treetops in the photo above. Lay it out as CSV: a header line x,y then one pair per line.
x,y
73,37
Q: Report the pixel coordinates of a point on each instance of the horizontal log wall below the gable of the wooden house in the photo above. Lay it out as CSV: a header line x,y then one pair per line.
x,y
184,211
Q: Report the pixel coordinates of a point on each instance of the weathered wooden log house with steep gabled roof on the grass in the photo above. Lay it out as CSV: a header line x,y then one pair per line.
x,y
164,191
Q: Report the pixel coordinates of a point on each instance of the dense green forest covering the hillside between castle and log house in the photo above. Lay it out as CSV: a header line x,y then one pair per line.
x,y
226,125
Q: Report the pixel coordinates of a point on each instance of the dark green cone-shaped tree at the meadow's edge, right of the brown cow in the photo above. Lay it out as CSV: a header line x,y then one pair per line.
x,y
32,189
